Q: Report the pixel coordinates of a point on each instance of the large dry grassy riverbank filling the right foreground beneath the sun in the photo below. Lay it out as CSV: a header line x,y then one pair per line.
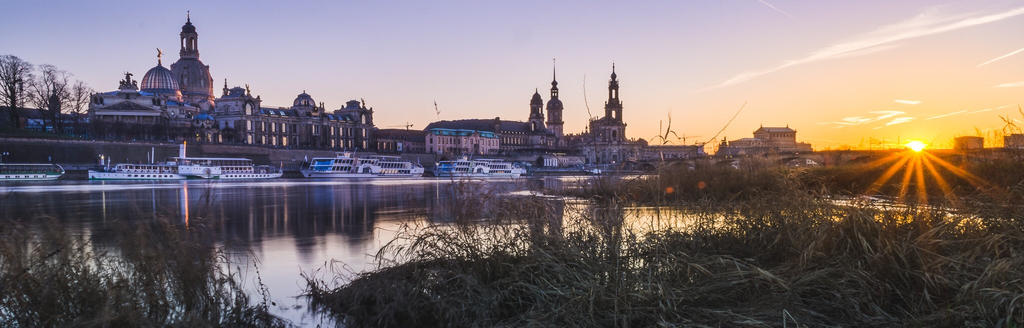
x,y
756,249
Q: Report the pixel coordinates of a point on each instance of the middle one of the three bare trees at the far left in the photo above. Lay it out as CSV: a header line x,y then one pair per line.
x,y
51,93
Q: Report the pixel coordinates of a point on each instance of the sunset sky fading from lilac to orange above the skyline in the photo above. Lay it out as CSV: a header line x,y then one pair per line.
x,y
842,73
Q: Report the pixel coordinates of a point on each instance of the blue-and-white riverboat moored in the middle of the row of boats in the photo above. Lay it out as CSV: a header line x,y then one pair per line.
x,y
347,166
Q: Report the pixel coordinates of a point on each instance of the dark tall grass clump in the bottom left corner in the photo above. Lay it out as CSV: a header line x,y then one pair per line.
x,y
159,276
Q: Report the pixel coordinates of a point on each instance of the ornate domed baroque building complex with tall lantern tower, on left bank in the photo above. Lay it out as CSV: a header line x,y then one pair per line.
x,y
181,101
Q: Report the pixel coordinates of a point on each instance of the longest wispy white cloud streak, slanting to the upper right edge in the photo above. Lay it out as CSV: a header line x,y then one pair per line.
x,y
925,24
